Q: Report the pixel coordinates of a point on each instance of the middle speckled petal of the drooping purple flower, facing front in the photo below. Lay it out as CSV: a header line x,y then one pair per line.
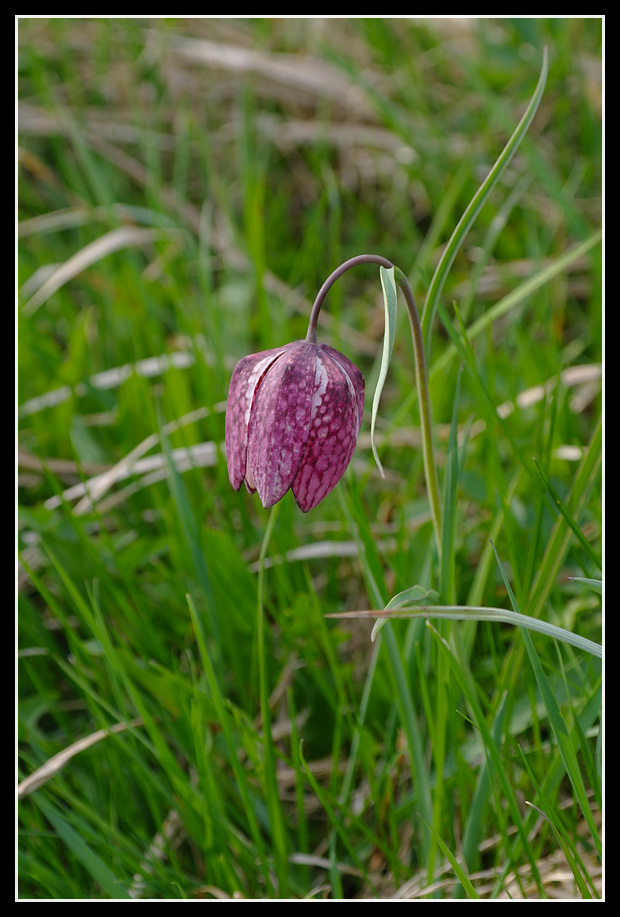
x,y
280,420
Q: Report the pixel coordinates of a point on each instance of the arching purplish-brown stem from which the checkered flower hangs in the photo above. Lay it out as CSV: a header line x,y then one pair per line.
x,y
430,468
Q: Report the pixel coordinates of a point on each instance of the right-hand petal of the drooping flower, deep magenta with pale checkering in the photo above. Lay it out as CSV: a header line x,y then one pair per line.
x,y
337,407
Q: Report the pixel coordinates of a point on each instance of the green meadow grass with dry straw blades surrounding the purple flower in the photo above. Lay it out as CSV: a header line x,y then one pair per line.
x,y
192,721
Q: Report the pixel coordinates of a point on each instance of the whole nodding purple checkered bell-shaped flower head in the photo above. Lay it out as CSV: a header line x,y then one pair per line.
x,y
292,421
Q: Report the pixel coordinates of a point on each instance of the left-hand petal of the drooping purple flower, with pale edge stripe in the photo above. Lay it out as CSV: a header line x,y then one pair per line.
x,y
244,382
